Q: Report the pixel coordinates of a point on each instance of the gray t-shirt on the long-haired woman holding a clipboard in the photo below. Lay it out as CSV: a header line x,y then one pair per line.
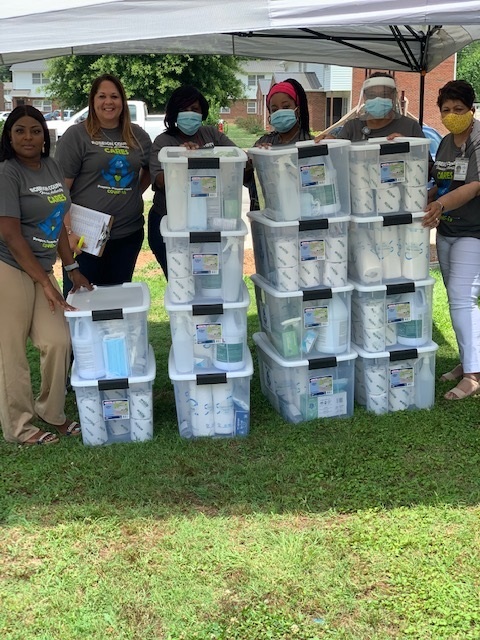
x,y
105,174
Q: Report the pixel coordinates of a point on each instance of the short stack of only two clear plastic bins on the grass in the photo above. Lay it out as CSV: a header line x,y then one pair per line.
x,y
114,368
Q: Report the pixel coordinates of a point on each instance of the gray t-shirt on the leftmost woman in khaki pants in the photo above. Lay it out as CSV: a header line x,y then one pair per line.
x,y
39,199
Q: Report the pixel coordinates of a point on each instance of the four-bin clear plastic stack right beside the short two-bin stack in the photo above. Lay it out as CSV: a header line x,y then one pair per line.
x,y
206,298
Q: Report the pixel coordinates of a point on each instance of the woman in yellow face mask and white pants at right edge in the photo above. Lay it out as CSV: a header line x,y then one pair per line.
x,y
456,215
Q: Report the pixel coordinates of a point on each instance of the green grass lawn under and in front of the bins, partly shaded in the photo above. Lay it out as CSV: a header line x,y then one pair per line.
x,y
365,528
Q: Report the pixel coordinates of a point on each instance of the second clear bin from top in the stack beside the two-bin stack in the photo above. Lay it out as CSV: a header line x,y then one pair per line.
x,y
204,265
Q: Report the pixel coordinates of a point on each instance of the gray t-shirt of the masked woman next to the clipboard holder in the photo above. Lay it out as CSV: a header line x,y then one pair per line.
x,y
206,136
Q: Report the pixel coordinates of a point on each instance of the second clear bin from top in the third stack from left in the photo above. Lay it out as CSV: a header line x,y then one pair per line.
x,y
300,254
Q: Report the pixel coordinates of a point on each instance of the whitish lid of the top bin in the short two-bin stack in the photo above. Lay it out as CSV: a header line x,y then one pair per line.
x,y
131,297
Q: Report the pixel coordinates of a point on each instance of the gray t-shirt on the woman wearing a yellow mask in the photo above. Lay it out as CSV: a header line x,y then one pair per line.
x,y
464,221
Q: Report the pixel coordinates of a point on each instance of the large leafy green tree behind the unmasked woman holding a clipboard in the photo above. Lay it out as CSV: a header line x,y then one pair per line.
x,y
150,77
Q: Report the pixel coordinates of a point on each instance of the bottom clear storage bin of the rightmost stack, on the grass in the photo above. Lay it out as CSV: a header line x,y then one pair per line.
x,y
396,380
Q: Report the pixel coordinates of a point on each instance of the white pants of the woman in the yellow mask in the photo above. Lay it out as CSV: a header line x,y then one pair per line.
x,y
459,260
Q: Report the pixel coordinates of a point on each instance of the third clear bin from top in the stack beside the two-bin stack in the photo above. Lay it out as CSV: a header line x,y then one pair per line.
x,y
209,337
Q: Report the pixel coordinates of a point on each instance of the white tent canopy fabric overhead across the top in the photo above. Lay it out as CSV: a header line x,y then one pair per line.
x,y
383,34
